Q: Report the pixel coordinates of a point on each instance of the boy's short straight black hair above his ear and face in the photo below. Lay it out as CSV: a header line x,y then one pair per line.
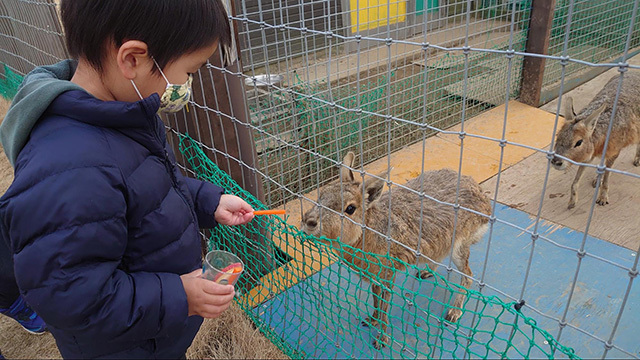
x,y
170,28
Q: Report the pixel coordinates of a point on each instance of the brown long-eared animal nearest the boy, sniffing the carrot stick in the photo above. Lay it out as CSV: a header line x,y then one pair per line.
x,y
414,223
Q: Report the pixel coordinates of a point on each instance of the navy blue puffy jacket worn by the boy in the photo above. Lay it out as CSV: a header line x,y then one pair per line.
x,y
102,224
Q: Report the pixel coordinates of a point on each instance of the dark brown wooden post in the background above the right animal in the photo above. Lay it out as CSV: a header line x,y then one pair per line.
x,y
537,43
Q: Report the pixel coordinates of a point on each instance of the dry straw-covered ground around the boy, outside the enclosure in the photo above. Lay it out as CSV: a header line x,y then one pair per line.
x,y
231,336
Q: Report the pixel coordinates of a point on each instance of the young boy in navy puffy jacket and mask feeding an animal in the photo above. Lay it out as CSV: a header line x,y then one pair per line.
x,y
102,225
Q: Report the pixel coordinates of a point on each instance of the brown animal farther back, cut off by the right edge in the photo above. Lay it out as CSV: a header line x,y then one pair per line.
x,y
582,137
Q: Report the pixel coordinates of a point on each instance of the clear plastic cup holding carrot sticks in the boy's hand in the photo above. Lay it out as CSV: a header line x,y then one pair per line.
x,y
222,267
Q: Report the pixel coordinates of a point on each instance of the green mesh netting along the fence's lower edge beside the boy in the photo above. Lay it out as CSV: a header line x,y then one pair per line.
x,y
304,297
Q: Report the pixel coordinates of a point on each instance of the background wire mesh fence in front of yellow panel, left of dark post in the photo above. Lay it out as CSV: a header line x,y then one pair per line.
x,y
335,63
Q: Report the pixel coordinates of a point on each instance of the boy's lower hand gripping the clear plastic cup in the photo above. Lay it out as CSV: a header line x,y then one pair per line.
x,y
206,298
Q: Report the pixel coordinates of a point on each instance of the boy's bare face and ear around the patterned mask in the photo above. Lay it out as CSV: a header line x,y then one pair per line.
x,y
138,66
